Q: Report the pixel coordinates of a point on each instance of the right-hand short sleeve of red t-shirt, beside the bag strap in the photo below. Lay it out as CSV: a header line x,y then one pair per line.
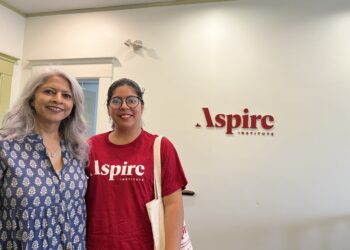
x,y
173,176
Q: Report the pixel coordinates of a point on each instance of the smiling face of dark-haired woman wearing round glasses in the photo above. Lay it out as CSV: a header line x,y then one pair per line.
x,y
125,118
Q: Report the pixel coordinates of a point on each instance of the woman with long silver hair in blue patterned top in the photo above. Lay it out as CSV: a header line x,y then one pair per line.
x,y
42,159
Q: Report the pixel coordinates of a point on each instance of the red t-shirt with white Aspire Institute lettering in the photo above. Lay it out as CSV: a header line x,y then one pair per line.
x,y
120,185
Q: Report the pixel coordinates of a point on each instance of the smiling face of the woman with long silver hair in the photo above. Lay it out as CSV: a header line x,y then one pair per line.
x,y
53,101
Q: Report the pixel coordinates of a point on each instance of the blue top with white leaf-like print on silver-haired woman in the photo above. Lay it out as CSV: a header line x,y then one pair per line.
x,y
40,209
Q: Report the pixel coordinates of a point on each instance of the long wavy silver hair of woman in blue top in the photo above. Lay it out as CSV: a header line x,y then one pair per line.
x,y
20,120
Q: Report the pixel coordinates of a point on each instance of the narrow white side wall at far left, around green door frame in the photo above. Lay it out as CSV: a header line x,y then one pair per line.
x,y
12,27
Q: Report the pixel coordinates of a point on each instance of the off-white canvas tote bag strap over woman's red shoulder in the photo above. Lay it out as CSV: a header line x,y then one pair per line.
x,y
157,168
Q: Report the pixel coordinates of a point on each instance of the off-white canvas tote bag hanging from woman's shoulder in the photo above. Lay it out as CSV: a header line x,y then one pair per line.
x,y
155,207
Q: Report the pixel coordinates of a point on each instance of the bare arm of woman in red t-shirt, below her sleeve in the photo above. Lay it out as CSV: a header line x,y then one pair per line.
x,y
173,219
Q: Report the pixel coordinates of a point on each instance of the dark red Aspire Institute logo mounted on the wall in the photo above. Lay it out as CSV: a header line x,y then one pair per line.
x,y
245,123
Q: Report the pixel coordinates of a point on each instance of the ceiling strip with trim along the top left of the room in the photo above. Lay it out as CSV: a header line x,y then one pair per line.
x,y
46,7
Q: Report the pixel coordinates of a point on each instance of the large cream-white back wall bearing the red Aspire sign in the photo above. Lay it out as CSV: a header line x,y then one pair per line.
x,y
286,58
